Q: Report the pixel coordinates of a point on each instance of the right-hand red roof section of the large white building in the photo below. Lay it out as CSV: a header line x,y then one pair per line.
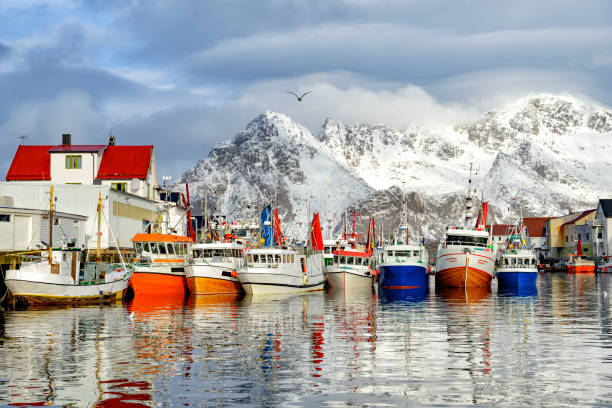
x,y
125,162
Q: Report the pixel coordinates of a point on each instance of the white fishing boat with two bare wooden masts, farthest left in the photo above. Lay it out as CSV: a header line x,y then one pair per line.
x,y
58,276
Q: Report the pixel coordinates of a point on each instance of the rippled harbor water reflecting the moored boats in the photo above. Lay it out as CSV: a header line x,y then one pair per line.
x,y
550,347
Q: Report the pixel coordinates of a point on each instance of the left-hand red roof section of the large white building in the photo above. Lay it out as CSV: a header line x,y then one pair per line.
x,y
30,163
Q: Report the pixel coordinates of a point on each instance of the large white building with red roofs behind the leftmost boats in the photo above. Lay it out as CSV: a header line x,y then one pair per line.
x,y
125,176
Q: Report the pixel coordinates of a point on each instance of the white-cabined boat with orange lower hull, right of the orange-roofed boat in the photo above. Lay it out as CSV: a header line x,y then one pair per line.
x,y
212,269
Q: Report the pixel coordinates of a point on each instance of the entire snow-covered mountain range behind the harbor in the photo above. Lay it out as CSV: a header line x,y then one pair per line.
x,y
548,152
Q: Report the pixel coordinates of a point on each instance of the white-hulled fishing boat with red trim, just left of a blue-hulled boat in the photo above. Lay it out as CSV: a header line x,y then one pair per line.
x,y
351,267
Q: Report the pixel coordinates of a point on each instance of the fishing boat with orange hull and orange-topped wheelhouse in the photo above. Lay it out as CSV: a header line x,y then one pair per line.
x,y
160,267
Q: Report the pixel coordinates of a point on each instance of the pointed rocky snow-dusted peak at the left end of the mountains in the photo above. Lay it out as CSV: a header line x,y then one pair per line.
x,y
275,158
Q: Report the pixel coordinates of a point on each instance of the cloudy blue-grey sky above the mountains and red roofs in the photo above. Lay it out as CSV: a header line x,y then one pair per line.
x,y
184,75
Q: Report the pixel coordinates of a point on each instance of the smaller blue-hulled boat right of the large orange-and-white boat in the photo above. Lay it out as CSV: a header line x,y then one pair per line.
x,y
518,269
